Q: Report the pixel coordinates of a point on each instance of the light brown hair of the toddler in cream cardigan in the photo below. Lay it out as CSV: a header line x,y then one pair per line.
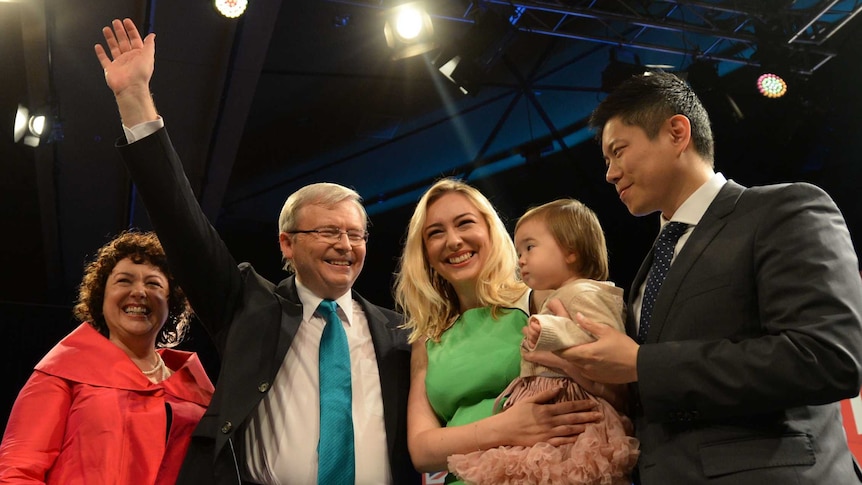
x,y
576,229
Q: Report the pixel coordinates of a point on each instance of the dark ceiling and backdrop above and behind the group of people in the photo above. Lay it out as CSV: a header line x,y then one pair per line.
x,y
302,91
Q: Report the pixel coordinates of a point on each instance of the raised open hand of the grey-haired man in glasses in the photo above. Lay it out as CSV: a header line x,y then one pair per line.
x,y
128,70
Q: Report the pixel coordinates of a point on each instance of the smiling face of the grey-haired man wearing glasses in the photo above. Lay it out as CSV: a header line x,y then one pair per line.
x,y
328,270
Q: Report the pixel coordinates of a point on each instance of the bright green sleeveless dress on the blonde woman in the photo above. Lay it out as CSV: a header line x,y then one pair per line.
x,y
476,358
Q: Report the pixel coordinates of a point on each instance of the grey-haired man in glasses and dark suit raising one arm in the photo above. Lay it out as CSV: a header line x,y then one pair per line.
x,y
262,425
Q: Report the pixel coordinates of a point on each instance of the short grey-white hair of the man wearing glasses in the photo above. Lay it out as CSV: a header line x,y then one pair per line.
x,y
324,194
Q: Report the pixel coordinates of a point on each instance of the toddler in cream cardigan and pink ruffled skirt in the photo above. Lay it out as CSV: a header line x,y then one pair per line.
x,y
561,248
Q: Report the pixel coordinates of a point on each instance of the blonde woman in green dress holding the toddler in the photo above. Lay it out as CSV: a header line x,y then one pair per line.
x,y
466,311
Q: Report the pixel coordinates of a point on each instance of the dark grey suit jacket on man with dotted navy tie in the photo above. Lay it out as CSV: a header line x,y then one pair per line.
x,y
755,334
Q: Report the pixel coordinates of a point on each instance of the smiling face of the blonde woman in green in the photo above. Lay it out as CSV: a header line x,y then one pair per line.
x,y
456,236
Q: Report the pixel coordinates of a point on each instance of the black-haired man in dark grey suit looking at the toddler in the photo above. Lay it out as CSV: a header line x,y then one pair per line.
x,y
739,357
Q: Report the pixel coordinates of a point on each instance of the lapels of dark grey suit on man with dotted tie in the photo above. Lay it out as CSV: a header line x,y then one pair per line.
x,y
703,234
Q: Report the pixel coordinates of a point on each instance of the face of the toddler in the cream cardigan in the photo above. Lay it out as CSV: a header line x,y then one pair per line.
x,y
544,264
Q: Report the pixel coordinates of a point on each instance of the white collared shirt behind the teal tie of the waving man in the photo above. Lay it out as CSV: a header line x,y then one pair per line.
x,y
282,434
